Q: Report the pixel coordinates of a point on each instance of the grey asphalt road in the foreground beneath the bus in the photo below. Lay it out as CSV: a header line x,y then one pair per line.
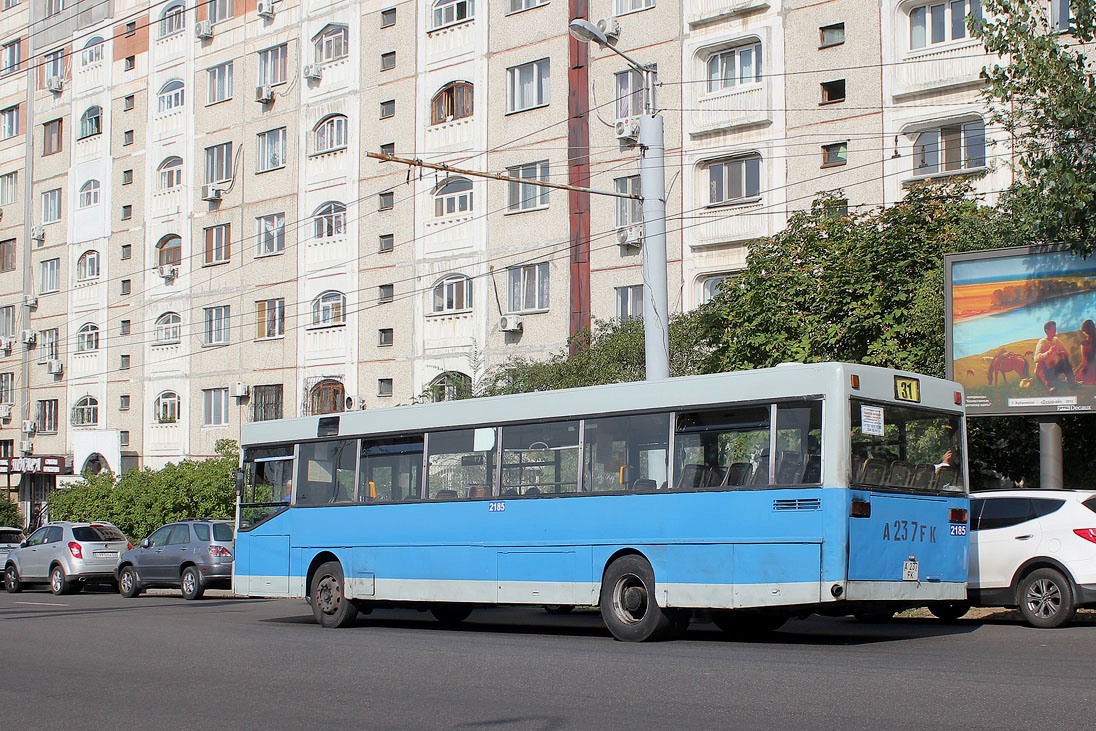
x,y
98,661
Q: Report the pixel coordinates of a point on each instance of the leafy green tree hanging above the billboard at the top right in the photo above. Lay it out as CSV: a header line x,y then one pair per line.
x,y
1045,97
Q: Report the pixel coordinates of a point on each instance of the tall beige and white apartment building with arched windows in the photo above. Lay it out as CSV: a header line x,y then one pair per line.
x,y
193,236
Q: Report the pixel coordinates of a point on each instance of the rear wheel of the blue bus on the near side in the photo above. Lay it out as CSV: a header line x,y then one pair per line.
x,y
630,608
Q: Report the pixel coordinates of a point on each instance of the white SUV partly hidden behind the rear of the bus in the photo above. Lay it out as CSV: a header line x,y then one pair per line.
x,y
1035,550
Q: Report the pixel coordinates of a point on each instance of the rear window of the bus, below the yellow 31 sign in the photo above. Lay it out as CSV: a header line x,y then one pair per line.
x,y
906,449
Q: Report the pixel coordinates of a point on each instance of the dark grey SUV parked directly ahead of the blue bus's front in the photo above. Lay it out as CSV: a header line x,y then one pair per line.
x,y
190,555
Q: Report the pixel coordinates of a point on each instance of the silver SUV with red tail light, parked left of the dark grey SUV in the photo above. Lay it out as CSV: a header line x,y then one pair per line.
x,y
67,556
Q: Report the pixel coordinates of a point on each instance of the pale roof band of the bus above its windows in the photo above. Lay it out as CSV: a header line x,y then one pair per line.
x,y
783,382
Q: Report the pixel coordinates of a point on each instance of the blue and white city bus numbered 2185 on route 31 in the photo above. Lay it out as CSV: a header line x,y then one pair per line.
x,y
752,497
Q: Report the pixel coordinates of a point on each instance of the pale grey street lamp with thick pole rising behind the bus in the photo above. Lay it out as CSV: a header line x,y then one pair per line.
x,y
653,190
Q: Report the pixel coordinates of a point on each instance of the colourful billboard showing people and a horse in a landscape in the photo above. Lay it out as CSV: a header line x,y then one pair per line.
x,y
1020,330
